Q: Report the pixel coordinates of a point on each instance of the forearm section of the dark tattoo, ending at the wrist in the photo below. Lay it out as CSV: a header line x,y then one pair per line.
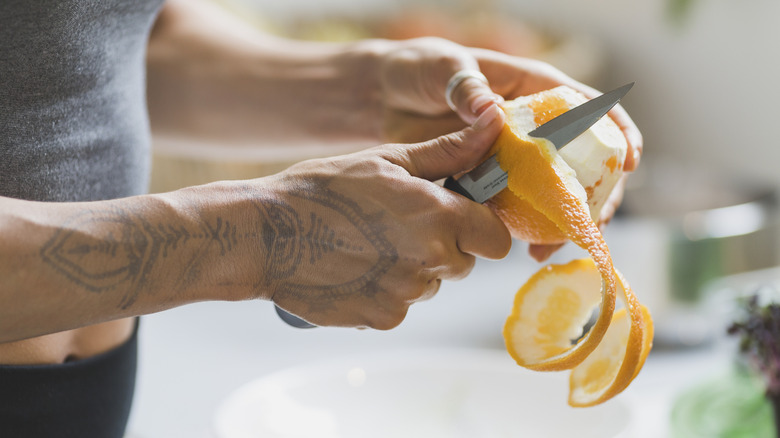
x,y
127,249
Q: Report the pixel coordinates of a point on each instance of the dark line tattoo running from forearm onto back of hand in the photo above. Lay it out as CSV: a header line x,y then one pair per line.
x,y
291,236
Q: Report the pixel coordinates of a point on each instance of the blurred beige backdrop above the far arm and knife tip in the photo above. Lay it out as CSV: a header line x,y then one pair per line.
x,y
705,70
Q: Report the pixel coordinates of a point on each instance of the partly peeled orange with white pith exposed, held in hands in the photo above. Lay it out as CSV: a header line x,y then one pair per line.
x,y
588,167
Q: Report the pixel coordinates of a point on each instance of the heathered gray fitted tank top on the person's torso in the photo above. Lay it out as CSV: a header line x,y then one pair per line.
x,y
73,121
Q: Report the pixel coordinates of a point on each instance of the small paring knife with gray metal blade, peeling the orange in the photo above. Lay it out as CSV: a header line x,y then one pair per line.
x,y
486,180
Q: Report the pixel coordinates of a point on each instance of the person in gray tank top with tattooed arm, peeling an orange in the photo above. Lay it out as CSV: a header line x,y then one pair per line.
x,y
351,240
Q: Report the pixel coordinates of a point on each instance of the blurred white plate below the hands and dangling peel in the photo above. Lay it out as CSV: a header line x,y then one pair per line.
x,y
409,394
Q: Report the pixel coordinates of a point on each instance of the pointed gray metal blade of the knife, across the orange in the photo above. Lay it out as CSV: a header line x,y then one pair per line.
x,y
569,125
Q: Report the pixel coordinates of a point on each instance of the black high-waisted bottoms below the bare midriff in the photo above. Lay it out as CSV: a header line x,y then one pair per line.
x,y
84,398
